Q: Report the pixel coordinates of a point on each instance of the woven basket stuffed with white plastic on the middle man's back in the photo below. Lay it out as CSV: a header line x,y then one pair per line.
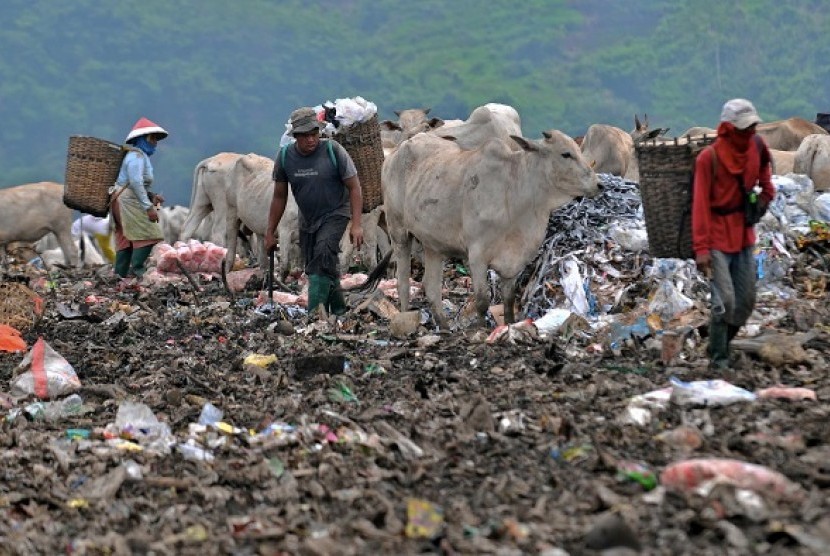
x,y
362,142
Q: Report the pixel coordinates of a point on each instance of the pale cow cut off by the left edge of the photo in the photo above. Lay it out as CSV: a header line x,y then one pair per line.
x,y
29,212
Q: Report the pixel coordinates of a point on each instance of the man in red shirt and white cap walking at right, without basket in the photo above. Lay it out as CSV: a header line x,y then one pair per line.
x,y
722,240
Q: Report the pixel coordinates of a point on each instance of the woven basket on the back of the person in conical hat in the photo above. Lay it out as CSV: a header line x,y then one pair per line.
x,y
92,167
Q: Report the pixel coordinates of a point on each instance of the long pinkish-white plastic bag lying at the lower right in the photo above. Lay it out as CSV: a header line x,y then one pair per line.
x,y
695,475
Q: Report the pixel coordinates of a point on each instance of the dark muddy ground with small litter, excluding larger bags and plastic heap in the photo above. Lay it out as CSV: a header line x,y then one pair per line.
x,y
514,447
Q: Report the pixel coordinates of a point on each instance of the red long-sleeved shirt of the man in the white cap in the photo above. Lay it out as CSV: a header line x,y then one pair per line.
x,y
727,233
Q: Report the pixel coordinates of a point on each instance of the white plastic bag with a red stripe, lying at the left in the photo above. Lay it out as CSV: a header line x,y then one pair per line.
x,y
44,373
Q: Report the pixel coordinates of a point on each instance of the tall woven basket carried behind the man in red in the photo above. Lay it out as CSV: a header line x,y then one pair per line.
x,y
666,190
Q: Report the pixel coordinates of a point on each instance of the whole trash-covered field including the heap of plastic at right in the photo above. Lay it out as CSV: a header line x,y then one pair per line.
x,y
184,419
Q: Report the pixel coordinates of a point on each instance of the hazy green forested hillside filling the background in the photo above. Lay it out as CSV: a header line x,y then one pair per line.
x,y
223,76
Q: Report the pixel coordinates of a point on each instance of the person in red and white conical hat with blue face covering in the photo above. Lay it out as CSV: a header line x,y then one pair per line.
x,y
133,204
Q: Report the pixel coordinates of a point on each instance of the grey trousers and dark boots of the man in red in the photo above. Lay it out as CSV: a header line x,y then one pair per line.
x,y
733,299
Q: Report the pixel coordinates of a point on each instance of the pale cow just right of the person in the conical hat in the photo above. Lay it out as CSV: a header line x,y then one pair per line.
x,y
212,179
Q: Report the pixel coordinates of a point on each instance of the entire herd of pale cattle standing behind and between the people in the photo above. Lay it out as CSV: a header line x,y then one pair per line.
x,y
474,189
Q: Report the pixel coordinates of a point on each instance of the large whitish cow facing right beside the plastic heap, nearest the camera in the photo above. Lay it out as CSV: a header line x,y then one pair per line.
x,y
489,205
